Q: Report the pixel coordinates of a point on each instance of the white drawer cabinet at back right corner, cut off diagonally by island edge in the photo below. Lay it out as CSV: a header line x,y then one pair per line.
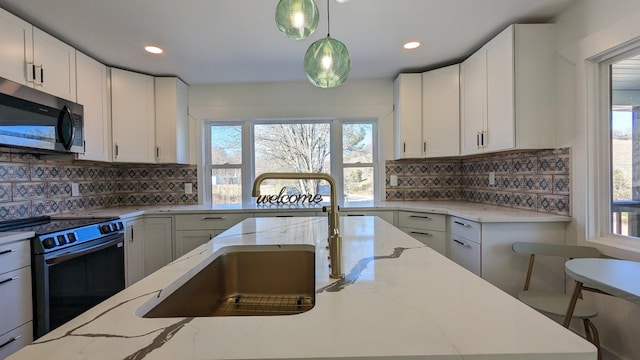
x,y
429,229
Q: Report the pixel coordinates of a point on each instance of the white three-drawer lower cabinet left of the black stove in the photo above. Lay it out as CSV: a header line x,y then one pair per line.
x,y
16,312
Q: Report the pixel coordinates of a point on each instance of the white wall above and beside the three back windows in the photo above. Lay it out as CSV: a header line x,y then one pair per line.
x,y
354,99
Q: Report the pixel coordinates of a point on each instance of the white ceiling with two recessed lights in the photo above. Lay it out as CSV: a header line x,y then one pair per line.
x,y
231,41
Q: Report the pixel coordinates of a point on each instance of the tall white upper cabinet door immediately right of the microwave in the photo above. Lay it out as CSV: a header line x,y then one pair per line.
x,y
92,94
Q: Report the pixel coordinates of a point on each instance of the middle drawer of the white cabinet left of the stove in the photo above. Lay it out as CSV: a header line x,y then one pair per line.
x,y
15,297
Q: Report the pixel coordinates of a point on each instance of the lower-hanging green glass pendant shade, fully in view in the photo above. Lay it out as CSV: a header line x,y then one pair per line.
x,y
327,63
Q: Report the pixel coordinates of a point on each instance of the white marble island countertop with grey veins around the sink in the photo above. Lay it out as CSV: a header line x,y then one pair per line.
x,y
400,299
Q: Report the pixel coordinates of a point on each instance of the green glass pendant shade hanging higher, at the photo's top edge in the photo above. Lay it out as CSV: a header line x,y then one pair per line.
x,y
297,19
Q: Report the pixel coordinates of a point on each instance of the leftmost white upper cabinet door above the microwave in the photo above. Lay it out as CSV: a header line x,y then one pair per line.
x,y
16,52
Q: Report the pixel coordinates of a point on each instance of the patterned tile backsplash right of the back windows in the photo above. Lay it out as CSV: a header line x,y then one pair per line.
x,y
530,180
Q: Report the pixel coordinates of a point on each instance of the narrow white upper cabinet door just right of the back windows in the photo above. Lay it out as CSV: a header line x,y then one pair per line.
x,y
407,116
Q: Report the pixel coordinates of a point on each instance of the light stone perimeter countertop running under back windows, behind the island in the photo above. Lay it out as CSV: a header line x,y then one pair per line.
x,y
467,210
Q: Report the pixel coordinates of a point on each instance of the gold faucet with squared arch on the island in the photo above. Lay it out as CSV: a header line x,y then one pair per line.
x,y
334,238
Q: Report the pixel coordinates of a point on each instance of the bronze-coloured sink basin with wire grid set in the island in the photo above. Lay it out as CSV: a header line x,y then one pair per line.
x,y
258,280
